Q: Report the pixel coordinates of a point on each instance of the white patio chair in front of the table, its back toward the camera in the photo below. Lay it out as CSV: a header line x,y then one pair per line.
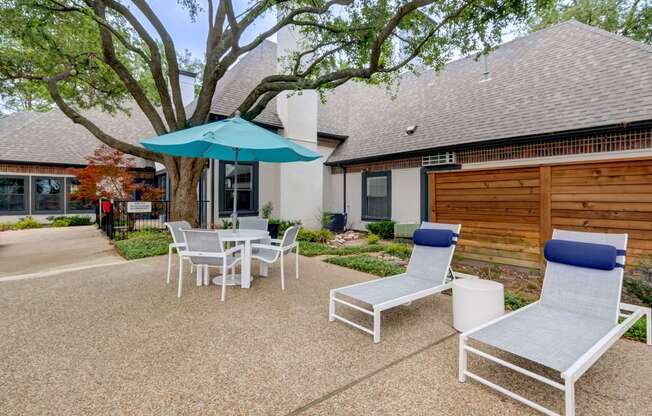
x,y
204,249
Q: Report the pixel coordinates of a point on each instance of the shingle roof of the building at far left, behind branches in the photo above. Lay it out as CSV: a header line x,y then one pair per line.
x,y
51,137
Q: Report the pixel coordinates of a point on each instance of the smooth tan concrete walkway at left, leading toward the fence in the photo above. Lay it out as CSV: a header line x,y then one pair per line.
x,y
46,250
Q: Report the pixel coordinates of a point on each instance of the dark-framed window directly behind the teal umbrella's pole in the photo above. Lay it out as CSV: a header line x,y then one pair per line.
x,y
247,188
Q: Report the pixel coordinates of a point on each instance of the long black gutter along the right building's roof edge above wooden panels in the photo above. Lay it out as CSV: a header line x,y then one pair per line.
x,y
612,128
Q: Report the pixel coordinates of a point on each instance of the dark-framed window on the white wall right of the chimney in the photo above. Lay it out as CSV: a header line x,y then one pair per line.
x,y
376,196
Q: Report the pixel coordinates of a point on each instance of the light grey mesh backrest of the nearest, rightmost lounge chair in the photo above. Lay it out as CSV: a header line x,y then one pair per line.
x,y
583,290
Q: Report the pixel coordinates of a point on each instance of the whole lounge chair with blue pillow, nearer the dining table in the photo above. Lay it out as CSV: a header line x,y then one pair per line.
x,y
428,273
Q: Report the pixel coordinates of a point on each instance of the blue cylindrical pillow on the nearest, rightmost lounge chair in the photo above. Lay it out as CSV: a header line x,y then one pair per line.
x,y
574,253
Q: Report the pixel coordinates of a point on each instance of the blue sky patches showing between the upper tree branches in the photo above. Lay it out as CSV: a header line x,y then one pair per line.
x,y
192,36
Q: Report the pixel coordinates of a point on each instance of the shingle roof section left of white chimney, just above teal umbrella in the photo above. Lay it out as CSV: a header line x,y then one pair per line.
x,y
243,77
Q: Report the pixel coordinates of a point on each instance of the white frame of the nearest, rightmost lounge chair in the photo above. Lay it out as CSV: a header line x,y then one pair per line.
x,y
570,376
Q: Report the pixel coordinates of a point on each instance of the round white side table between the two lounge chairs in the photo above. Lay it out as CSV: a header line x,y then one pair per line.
x,y
476,301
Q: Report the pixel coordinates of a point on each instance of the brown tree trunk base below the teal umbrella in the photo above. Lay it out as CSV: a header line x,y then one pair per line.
x,y
184,174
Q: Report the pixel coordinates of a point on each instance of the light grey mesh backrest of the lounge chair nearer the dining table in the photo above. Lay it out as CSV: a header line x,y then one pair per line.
x,y
433,263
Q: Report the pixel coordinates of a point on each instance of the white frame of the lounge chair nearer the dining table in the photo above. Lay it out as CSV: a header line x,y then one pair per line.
x,y
376,309
